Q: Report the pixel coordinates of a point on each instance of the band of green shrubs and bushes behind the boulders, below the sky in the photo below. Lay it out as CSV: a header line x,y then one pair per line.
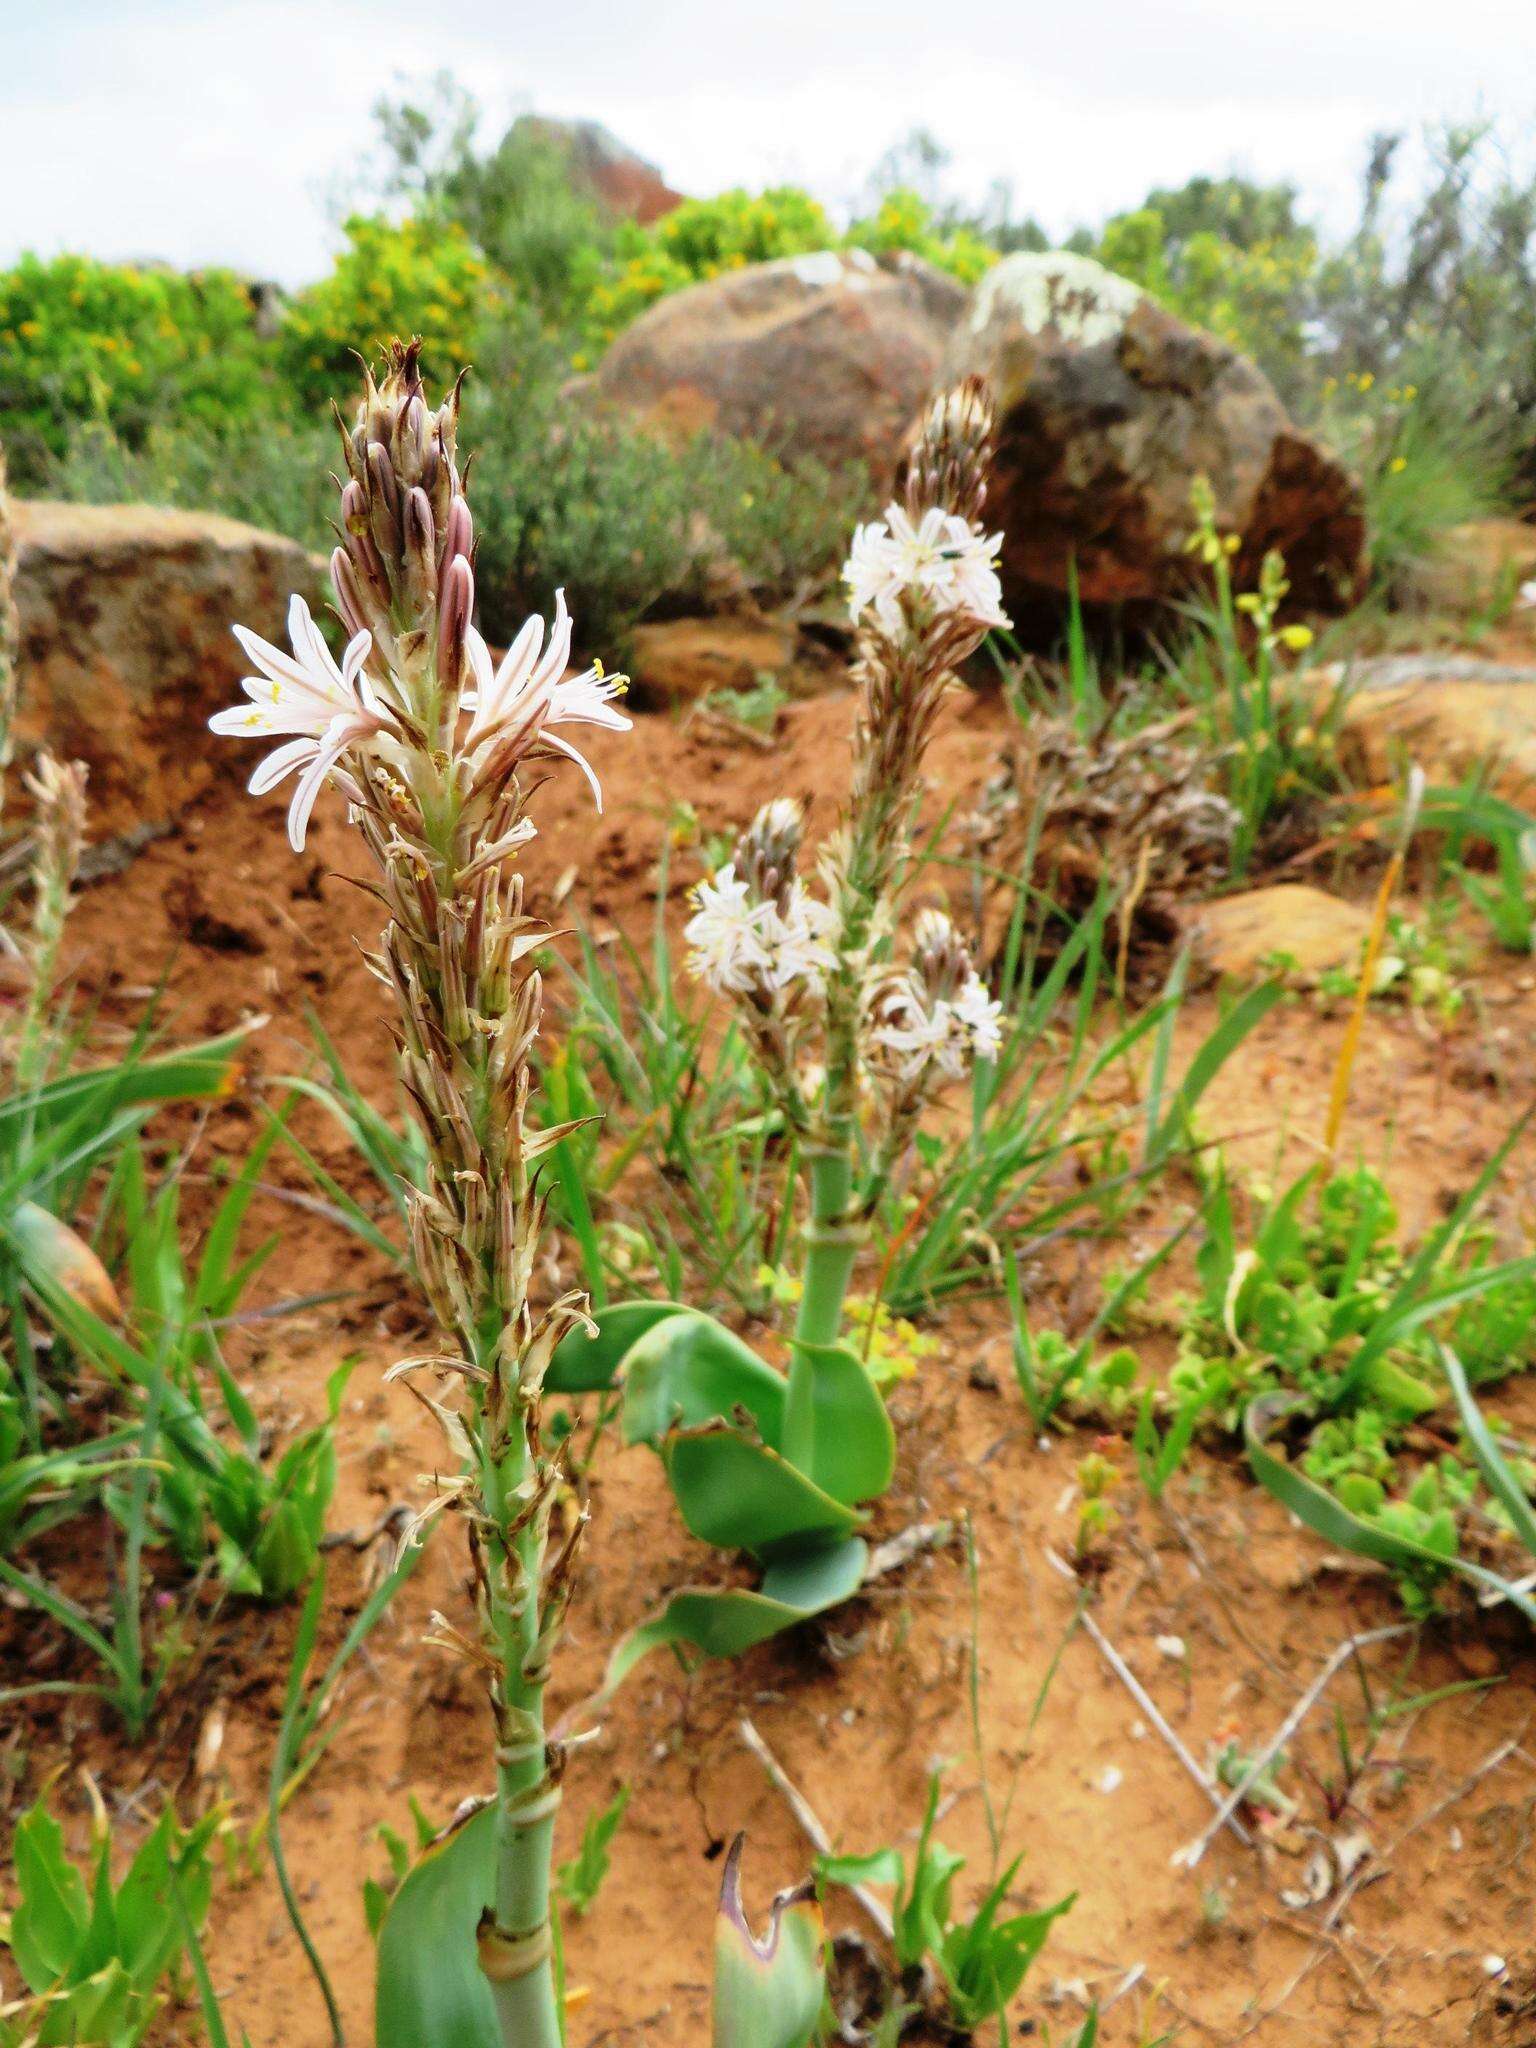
x,y
1406,343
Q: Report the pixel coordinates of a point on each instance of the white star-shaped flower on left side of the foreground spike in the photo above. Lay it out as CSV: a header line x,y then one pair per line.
x,y
325,710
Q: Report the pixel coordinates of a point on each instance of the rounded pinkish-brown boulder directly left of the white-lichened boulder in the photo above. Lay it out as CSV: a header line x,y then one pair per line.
x,y
820,355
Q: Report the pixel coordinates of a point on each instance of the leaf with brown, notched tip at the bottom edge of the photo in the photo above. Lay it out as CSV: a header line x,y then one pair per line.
x,y
767,1994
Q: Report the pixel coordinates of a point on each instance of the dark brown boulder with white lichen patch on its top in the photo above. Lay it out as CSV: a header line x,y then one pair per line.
x,y
1109,409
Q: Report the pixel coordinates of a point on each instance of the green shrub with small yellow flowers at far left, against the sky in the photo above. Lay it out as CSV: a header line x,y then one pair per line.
x,y
124,347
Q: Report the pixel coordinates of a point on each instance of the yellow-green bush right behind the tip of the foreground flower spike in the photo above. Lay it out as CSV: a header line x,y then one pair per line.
x,y
394,278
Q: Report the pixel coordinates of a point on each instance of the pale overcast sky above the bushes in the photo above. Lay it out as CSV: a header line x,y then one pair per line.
x,y
220,130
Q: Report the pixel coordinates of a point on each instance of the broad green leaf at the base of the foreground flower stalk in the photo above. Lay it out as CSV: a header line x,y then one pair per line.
x,y
431,1990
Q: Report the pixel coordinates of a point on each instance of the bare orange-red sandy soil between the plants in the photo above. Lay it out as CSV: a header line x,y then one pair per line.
x,y
861,1711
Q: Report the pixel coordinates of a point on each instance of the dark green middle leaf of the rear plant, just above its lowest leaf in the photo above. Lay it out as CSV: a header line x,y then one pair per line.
x,y
742,1496
